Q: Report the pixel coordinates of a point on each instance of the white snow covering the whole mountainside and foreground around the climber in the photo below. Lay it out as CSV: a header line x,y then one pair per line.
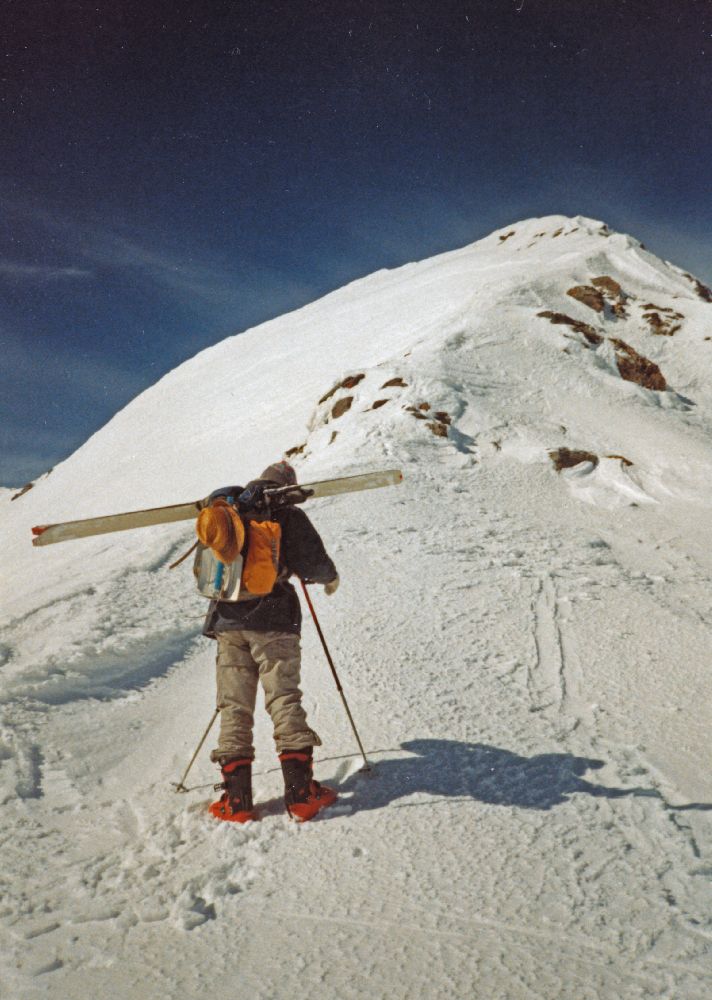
x,y
526,654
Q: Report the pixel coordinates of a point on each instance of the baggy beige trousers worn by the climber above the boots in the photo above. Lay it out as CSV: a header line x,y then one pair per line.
x,y
274,658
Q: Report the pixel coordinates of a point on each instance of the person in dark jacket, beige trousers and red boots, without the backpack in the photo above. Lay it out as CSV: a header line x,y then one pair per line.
x,y
259,641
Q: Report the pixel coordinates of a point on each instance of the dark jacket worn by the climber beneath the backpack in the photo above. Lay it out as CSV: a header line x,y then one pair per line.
x,y
302,553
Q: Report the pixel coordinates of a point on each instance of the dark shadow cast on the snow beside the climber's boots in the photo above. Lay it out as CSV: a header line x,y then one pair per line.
x,y
484,773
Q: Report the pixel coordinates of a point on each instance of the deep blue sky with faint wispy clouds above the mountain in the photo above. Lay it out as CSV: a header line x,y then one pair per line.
x,y
172,173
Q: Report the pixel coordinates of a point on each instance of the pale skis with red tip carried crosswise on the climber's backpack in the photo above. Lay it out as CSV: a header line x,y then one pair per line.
x,y
48,534
